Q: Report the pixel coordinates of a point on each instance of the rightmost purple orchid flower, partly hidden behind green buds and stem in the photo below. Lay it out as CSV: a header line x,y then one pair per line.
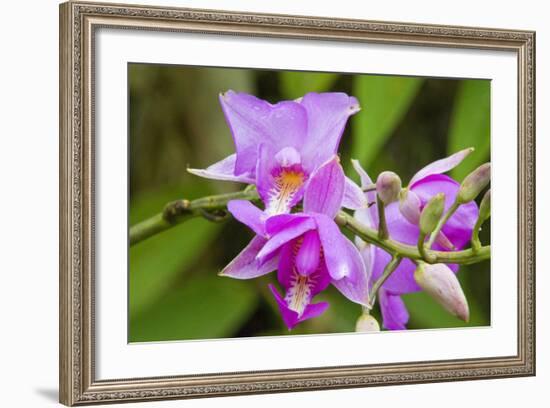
x,y
402,221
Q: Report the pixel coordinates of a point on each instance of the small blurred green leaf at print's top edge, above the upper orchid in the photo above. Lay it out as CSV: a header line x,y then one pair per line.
x,y
296,84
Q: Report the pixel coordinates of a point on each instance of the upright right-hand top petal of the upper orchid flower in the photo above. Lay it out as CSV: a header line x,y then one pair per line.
x,y
327,115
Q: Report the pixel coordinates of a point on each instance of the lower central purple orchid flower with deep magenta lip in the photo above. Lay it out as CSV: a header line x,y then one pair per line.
x,y
307,249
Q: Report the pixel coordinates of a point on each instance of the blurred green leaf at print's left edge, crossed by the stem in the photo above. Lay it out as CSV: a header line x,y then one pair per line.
x,y
155,263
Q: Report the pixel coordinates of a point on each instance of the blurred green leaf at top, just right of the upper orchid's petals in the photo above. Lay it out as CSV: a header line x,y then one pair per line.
x,y
384,102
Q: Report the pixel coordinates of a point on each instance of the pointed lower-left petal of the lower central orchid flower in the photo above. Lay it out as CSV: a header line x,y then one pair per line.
x,y
246,266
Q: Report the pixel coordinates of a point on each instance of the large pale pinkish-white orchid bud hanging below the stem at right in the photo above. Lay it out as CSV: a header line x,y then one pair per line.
x,y
442,285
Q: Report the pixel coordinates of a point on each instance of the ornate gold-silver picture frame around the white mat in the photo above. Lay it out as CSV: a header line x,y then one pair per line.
x,y
78,22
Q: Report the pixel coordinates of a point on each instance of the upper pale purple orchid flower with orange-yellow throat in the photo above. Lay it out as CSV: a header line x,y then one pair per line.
x,y
278,147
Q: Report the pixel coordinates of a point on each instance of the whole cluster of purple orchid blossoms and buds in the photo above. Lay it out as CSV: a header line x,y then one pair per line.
x,y
289,152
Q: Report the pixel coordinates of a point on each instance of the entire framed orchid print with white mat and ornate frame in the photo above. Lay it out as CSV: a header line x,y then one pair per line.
x,y
258,203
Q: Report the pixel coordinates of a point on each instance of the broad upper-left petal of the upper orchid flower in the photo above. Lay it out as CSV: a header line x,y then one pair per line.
x,y
253,121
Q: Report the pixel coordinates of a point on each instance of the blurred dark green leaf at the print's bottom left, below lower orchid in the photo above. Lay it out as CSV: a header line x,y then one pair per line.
x,y
203,306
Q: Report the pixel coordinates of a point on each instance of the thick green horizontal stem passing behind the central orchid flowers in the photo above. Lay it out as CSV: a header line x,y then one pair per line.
x,y
214,207
